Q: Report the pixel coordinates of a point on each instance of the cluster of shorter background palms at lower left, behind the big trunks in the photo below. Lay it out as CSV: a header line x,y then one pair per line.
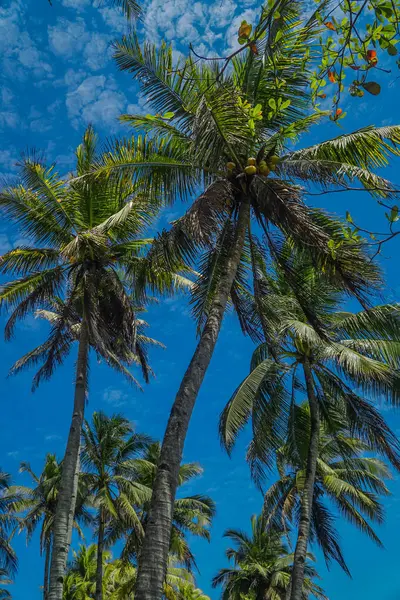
x,y
114,491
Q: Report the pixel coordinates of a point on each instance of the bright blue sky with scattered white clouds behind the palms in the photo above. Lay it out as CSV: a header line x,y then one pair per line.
x,y
56,76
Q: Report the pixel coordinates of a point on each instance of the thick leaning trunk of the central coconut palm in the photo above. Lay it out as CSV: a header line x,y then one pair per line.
x,y
154,553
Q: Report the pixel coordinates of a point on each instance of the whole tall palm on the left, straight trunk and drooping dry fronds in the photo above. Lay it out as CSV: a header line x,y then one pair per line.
x,y
85,235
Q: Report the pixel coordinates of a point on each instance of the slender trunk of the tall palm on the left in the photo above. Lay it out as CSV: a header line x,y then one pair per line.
x,y
66,503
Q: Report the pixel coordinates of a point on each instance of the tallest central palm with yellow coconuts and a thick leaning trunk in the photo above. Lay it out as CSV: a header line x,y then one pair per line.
x,y
207,130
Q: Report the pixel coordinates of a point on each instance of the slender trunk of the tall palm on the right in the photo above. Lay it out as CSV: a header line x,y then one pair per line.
x,y
300,553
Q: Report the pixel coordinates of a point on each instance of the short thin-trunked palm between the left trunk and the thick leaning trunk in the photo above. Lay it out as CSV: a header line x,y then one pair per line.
x,y
109,451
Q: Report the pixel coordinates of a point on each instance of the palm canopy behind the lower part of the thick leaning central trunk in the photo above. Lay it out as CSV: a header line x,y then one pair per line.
x,y
192,514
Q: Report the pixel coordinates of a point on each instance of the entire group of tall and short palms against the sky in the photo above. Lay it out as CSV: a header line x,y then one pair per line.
x,y
248,240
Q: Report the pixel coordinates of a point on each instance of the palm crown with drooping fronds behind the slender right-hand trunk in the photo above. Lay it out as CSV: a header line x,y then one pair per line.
x,y
345,476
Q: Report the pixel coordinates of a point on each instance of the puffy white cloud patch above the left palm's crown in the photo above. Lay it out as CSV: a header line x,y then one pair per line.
x,y
95,100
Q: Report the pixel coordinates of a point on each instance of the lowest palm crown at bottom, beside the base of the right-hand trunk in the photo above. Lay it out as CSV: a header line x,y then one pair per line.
x,y
262,566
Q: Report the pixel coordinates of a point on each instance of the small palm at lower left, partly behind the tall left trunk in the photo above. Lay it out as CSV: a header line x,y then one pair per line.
x,y
38,506
